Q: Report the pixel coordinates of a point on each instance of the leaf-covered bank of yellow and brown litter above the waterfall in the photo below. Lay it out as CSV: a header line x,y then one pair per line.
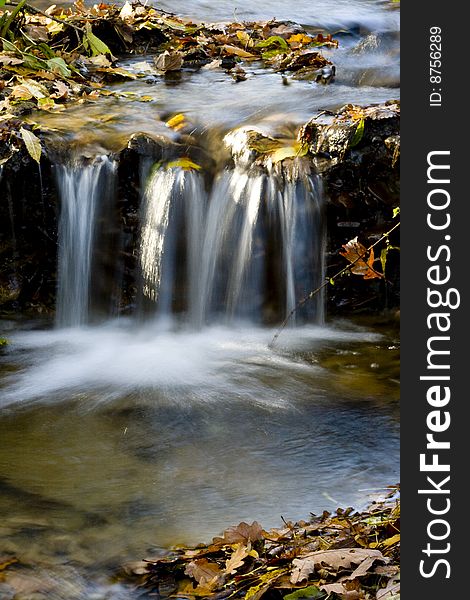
x,y
49,57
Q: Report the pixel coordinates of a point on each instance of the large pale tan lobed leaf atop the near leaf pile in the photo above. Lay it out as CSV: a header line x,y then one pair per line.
x,y
341,558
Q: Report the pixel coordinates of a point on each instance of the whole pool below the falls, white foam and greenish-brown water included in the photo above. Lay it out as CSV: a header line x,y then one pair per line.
x,y
116,441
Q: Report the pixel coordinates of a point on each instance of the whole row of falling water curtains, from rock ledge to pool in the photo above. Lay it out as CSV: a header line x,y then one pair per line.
x,y
248,246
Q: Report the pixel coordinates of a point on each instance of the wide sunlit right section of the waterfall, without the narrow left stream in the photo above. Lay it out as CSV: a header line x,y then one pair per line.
x,y
251,254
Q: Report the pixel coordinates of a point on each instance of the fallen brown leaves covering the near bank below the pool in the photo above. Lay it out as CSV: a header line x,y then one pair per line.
x,y
347,555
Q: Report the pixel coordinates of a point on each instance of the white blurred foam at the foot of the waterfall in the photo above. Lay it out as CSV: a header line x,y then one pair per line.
x,y
209,365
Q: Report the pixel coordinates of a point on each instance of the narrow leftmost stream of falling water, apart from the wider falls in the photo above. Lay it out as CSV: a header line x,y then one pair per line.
x,y
81,188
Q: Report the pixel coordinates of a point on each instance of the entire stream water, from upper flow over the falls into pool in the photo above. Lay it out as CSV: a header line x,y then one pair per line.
x,y
122,436
